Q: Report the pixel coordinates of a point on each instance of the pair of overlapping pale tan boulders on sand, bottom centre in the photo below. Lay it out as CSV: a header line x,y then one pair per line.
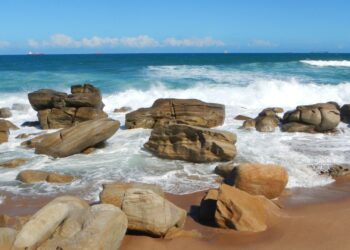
x,y
145,207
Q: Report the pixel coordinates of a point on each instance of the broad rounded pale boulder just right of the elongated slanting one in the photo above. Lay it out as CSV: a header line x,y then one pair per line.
x,y
102,227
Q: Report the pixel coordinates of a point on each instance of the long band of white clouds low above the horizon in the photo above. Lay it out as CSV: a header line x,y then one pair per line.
x,y
142,41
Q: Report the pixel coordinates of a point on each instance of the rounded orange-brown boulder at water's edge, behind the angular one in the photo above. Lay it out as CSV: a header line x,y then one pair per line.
x,y
259,179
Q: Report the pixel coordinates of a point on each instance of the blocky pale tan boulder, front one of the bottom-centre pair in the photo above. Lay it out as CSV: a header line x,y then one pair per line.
x,y
150,213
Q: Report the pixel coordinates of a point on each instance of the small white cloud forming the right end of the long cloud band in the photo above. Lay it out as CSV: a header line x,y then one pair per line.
x,y
193,42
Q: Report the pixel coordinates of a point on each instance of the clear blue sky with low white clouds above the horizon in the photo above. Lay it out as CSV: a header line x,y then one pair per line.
x,y
160,26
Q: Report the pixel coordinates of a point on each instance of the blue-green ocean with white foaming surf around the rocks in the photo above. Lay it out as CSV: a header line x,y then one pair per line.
x,y
245,83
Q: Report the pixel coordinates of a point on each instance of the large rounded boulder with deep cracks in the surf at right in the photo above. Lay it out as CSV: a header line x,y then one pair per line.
x,y
321,117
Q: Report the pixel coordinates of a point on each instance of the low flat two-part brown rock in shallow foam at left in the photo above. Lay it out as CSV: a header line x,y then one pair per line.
x,y
33,176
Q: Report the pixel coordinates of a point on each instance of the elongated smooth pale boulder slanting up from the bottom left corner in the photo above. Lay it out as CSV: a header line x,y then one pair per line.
x,y
44,223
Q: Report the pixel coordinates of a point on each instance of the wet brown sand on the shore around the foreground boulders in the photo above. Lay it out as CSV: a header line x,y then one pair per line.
x,y
314,218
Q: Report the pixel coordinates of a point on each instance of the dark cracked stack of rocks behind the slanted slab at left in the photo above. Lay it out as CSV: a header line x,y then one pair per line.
x,y
61,110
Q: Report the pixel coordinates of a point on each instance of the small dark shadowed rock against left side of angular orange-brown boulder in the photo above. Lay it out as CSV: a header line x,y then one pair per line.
x,y
208,207
